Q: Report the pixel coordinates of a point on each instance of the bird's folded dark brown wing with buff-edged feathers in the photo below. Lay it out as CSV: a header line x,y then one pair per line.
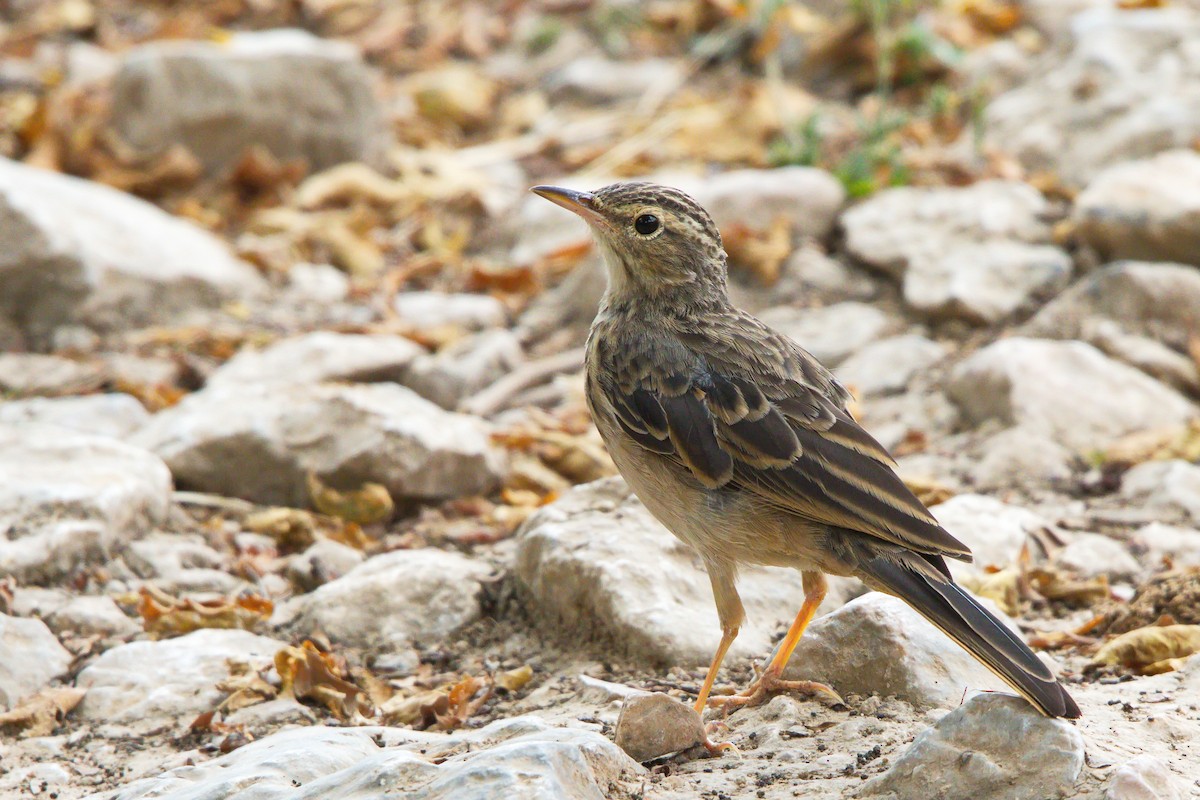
x,y
742,406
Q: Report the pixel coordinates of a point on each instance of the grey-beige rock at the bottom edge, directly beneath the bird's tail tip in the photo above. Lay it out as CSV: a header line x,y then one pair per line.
x,y
995,747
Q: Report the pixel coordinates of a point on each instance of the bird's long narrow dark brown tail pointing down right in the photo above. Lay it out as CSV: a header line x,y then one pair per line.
x,y
922,582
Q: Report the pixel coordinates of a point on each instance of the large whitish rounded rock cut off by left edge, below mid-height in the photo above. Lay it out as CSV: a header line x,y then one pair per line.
x,y
69,500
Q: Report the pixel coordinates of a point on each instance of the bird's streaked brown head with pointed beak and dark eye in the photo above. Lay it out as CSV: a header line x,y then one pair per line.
x,y
656,240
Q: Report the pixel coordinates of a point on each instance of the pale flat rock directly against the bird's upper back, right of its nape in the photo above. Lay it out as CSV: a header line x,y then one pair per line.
x,y
831,334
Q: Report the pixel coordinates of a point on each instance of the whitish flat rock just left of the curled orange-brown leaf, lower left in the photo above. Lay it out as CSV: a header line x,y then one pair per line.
x,y
169,679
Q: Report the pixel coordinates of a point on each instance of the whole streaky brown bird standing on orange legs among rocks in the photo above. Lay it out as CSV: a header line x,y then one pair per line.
x,y
742,444
